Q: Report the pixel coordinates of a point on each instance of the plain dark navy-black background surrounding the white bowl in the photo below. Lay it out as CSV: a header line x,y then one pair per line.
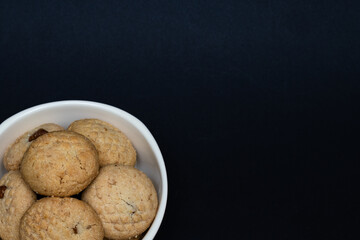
x,y
254,104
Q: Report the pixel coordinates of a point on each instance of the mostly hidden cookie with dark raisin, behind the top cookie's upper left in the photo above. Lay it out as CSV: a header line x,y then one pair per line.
x,y
15,153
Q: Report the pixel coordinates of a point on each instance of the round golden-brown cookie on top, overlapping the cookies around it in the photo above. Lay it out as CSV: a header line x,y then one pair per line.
x,y
61,163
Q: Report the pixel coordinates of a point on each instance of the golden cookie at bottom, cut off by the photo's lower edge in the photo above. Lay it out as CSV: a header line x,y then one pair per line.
x,y
61,218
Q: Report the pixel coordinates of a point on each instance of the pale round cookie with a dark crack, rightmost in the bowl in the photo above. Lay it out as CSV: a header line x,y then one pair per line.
x,y
125,199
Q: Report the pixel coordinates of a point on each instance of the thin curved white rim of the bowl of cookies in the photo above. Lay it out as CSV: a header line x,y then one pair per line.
x,y
128,117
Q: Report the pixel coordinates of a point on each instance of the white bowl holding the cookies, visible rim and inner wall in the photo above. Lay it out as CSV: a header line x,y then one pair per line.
x,y
149,158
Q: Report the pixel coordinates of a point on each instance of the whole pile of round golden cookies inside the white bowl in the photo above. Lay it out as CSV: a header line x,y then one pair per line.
x,y
93,161
